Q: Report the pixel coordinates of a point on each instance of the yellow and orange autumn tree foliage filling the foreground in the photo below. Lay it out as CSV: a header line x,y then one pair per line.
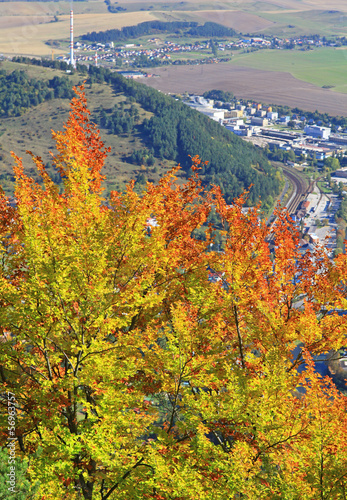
x,y
145,365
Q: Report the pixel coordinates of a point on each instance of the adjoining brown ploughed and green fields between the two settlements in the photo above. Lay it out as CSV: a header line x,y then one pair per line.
x,y
315,79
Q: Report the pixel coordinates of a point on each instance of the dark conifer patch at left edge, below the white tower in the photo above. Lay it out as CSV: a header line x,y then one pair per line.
x,y
18,92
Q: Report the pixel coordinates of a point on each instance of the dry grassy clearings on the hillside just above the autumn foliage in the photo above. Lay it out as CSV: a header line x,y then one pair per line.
x,y
32,131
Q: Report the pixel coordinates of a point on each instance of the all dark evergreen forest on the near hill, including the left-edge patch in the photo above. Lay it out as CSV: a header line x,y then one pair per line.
x,y
171,132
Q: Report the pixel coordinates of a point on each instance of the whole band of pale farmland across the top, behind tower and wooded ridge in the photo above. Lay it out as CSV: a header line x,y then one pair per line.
x,y
25,27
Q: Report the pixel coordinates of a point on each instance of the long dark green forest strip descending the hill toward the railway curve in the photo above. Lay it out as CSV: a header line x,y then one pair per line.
x,y
177,132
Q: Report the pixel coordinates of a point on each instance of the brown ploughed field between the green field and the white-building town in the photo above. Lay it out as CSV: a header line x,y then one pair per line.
x,y
255,84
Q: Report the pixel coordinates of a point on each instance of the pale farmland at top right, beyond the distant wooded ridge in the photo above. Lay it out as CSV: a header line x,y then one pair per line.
x,y
277,17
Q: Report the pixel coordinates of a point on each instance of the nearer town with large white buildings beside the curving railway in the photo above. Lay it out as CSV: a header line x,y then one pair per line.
x,y
305,143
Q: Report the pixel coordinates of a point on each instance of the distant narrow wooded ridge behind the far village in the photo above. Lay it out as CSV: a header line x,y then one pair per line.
x,y
209,29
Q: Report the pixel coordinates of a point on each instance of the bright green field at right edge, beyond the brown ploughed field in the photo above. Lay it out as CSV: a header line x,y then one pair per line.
x,y
323,66
